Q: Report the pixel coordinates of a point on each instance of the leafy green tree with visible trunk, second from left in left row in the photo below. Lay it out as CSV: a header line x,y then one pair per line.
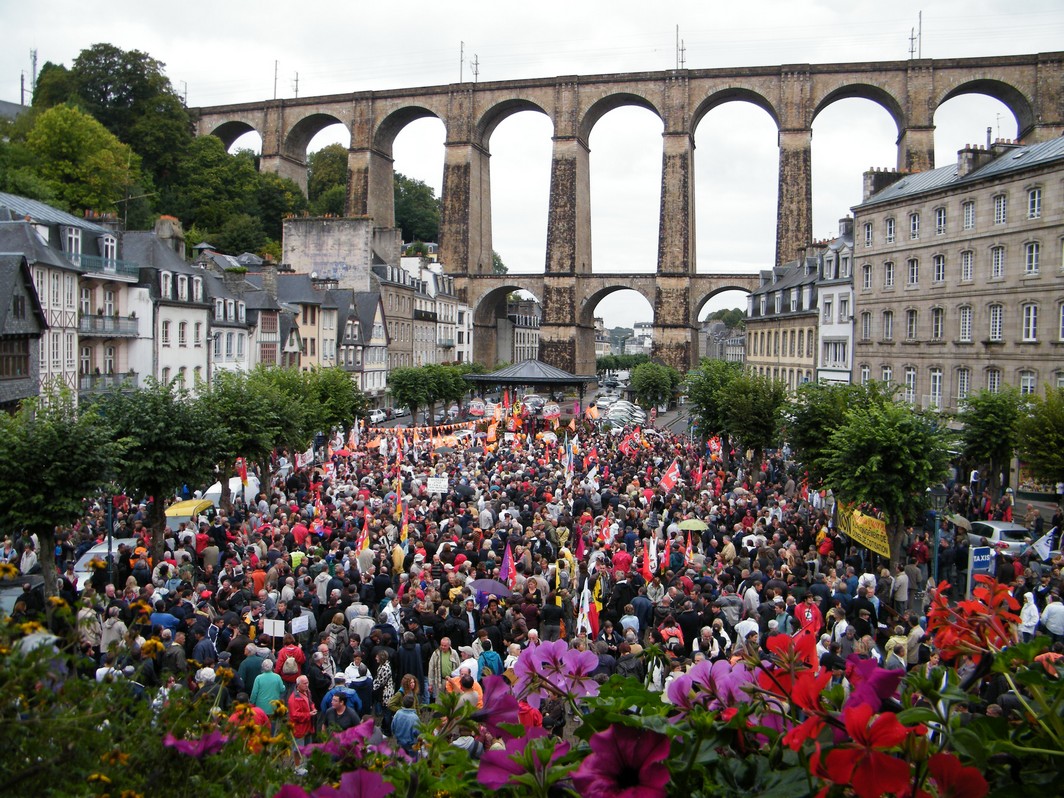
x,y
175,441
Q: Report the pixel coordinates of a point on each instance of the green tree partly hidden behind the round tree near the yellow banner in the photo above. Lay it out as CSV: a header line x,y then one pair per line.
x,y
819,409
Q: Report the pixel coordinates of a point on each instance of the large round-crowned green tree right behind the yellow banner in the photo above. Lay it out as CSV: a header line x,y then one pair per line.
x,y
887,456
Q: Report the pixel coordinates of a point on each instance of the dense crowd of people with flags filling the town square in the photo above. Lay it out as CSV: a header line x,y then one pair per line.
x,y
352,591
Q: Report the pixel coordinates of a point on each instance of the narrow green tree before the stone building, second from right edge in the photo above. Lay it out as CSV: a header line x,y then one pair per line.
x,y
991,430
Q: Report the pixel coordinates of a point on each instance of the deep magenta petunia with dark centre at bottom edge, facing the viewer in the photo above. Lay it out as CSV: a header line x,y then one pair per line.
x,y
624,763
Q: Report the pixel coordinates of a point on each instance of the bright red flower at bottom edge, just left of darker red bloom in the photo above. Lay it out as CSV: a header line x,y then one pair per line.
x,y
862,766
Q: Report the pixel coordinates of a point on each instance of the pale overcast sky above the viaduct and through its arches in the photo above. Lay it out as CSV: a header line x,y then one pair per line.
x,y
223,53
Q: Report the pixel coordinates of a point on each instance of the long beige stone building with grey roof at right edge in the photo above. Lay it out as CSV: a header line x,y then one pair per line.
x,y
960,279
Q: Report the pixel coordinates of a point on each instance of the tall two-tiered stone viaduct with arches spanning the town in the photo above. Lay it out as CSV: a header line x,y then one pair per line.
x,y
1032,87
